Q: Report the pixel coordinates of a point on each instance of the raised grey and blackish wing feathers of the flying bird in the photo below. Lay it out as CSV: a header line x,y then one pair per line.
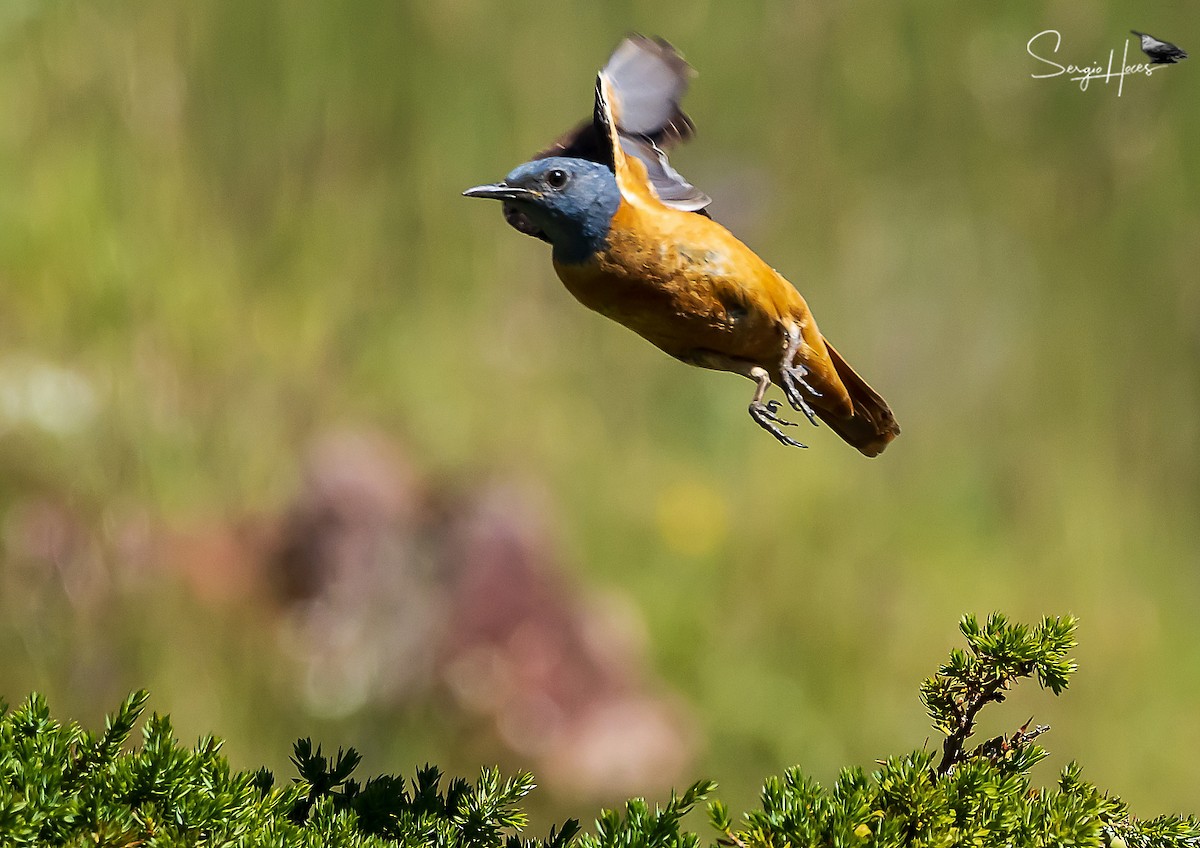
x,y
646,79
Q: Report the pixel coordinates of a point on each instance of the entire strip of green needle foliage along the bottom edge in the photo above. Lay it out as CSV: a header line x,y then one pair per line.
x,y
61,785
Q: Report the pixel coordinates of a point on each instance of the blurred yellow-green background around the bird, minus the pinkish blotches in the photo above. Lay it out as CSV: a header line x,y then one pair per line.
x,y
229,230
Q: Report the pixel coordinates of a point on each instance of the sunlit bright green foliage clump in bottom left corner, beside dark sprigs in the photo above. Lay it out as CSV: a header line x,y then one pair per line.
x,y
61,785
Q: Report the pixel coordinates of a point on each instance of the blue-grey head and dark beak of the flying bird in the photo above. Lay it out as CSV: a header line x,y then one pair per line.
x,y
571,202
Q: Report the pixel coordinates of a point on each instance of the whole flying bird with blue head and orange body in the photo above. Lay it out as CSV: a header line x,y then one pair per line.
x,y
633,240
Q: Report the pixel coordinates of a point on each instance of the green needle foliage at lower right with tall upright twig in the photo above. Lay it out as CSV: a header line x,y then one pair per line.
x,y
981,797
